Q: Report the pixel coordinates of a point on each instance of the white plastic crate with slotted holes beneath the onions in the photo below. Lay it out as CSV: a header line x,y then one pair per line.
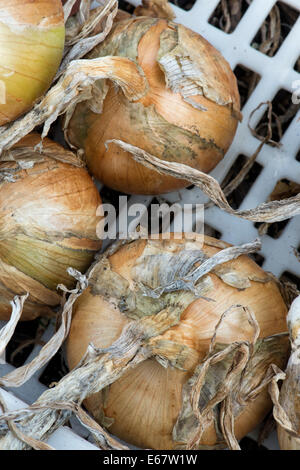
x,y
277,163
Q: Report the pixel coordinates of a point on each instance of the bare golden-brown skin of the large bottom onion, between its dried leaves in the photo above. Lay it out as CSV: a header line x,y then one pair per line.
x,y
144,404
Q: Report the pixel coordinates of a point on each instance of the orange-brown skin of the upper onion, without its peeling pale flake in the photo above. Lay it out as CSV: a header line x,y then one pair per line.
x,y
162,123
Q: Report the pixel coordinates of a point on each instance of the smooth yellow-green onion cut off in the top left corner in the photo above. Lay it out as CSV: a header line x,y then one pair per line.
x,y
32,36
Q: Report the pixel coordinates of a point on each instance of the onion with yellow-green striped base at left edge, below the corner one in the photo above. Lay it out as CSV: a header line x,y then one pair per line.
x,y
47,224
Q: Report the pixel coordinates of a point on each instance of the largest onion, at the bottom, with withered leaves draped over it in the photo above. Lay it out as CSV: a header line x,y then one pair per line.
x,y
211,334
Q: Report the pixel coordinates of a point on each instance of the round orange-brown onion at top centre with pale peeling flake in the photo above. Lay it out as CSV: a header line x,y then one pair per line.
x,y
188,111
